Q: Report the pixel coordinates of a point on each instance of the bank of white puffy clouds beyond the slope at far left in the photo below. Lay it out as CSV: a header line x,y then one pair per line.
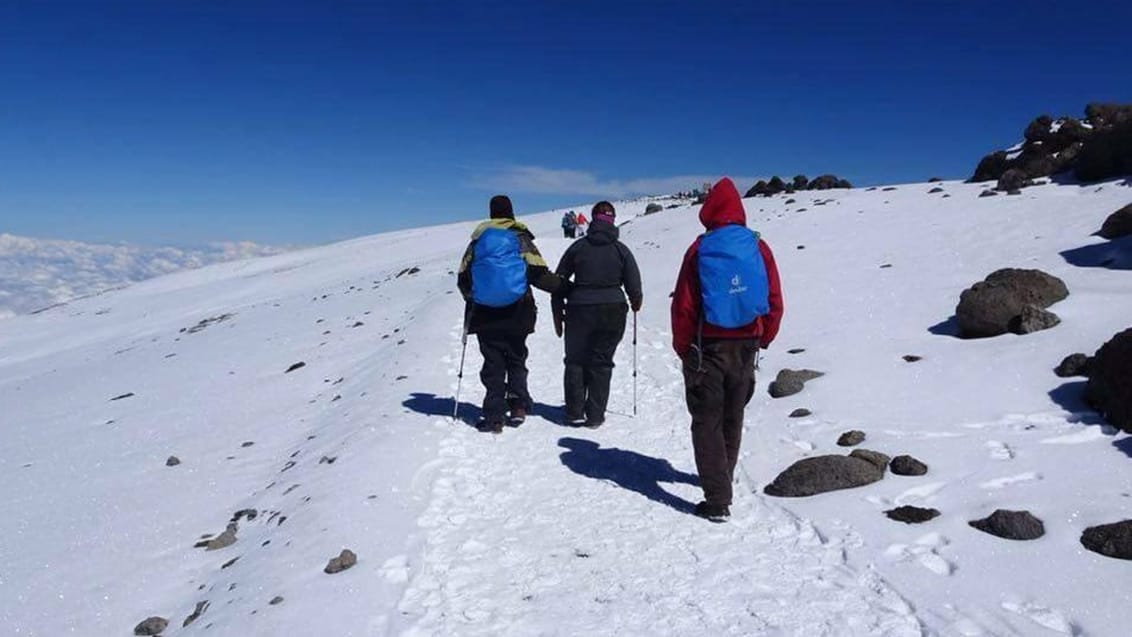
x,y
40,273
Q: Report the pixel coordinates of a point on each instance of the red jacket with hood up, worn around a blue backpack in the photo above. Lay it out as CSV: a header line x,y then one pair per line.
x,y
723,208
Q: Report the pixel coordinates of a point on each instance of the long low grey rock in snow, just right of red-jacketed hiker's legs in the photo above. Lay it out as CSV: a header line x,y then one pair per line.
x,y
820,475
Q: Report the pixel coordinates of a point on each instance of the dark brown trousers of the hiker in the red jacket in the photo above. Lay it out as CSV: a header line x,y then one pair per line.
x,y
717,392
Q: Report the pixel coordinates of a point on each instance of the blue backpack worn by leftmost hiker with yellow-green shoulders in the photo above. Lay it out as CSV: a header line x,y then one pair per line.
x,y
499,270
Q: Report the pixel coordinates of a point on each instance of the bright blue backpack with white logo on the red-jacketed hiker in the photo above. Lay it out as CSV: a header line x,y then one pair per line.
x,y
733,278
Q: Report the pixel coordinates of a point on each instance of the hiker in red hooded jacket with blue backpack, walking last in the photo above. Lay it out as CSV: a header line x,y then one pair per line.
x,y
727,306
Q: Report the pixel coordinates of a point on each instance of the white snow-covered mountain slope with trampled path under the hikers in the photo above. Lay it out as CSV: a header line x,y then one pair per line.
x,y
547,530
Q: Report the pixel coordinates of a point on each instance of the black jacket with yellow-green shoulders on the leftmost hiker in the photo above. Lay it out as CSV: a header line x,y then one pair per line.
x,y
520,316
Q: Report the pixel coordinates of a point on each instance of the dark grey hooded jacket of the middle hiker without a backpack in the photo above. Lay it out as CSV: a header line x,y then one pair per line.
x,y
601,266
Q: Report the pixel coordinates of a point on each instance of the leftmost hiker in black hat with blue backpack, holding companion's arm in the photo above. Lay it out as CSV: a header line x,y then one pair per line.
x,y
496,276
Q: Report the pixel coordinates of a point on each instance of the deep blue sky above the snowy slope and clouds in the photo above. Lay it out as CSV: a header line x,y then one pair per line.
x,y
185,122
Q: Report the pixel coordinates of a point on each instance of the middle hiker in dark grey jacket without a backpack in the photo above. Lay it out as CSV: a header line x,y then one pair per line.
x,y
595,313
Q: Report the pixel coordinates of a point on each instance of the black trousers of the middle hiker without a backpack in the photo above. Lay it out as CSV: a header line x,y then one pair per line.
x,y
593,335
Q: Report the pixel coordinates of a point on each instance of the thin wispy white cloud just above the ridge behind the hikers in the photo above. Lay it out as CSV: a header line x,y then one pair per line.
x,y
564,182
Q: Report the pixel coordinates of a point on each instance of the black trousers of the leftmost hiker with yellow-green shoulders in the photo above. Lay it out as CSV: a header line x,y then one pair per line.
x,y
504,374
